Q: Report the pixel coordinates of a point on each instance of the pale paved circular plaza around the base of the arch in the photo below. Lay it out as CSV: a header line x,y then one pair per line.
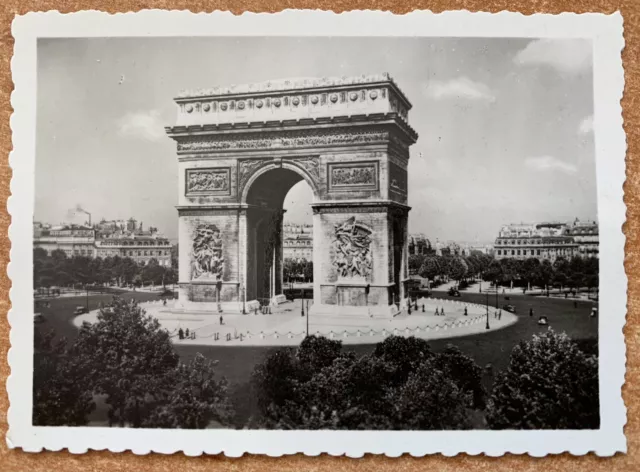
x,y
286,327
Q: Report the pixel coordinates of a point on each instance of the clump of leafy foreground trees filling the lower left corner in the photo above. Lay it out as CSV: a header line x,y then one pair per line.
x,y
126,357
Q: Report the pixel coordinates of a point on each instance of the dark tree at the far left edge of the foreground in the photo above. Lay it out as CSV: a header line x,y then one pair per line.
x,y
61,394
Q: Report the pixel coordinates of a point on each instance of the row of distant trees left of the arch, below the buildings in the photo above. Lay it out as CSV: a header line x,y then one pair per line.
x,y
59,270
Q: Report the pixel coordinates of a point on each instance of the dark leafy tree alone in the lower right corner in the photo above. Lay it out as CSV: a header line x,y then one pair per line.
x,y
549,384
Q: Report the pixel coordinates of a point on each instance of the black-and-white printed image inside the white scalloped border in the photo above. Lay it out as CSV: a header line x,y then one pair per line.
x,y
318,233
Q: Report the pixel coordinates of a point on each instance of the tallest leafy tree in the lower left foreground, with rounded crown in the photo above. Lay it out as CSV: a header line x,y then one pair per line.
x,y
127,356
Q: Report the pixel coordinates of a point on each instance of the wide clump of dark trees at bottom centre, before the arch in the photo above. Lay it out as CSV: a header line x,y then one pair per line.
x,y
401,385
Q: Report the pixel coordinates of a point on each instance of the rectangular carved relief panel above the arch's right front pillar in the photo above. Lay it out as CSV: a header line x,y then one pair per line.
x,y
353,176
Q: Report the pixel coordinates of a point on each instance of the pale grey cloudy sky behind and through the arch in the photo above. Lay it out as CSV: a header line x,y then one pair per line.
x,y
505,125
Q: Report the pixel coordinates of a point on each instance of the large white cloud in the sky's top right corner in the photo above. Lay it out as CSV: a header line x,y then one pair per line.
x,y
566,55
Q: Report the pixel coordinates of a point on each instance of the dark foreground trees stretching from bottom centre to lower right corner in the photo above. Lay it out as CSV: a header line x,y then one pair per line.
x,y
549,384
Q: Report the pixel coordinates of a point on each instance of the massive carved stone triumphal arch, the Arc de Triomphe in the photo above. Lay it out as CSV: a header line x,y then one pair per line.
x,y
241,149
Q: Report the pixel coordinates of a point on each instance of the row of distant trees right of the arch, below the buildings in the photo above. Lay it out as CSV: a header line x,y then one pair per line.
x,y
571,273
